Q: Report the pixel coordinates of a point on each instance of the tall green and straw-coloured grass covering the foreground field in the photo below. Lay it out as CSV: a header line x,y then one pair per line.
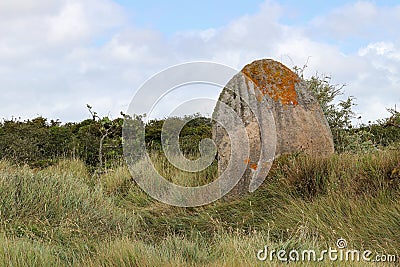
x,y
63,215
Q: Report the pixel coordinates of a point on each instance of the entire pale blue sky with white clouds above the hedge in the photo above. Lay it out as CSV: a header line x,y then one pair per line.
x,y
58,55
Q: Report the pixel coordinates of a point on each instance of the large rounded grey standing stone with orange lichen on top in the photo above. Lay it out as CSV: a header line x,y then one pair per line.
x,y
267,85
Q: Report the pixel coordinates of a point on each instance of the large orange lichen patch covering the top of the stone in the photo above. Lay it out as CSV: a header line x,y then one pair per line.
x,y
273,79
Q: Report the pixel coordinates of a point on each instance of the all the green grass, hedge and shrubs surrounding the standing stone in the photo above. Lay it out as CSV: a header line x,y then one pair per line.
x,y
66,198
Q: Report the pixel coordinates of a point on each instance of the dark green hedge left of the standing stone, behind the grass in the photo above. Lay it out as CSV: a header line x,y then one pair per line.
x,y
95,141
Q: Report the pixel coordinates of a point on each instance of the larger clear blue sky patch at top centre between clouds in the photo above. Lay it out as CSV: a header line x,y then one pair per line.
x,y
172,16
